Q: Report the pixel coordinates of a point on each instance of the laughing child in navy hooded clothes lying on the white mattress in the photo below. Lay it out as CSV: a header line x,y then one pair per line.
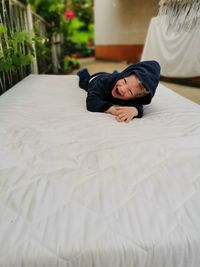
x,y
121,94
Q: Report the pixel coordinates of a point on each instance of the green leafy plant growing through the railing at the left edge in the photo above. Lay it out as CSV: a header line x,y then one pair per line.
x,y
17,49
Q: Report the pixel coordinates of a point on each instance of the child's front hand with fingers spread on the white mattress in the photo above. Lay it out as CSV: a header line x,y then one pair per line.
x,y
126,114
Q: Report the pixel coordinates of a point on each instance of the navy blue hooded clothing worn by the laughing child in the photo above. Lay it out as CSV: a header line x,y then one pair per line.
x,y
99,89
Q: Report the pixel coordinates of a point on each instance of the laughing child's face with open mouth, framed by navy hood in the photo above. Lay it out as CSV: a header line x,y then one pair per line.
x,y
127,88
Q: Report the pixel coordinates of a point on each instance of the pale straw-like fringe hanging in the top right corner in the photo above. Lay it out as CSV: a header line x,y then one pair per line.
x,y
181,14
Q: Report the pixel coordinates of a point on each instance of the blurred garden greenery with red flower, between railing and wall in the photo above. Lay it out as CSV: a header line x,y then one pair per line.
x,y
75,20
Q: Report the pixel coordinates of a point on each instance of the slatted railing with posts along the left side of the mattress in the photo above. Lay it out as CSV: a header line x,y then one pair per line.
x,y
18,17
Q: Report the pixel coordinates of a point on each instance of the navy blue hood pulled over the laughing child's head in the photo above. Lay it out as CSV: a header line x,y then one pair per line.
x,y
148,72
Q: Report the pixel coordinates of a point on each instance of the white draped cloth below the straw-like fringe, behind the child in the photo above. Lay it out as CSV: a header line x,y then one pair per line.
x,y
177,52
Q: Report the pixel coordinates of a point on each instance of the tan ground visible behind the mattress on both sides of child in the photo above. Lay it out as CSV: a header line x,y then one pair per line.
x,y
93,66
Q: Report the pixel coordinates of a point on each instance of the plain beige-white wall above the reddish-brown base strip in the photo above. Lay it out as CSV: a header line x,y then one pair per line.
x,y
123,21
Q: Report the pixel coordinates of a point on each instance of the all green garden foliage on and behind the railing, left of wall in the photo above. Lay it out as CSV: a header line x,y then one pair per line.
x,y
73,19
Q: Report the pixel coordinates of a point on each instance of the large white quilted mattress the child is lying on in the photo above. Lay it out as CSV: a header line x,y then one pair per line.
x,y
80,189
